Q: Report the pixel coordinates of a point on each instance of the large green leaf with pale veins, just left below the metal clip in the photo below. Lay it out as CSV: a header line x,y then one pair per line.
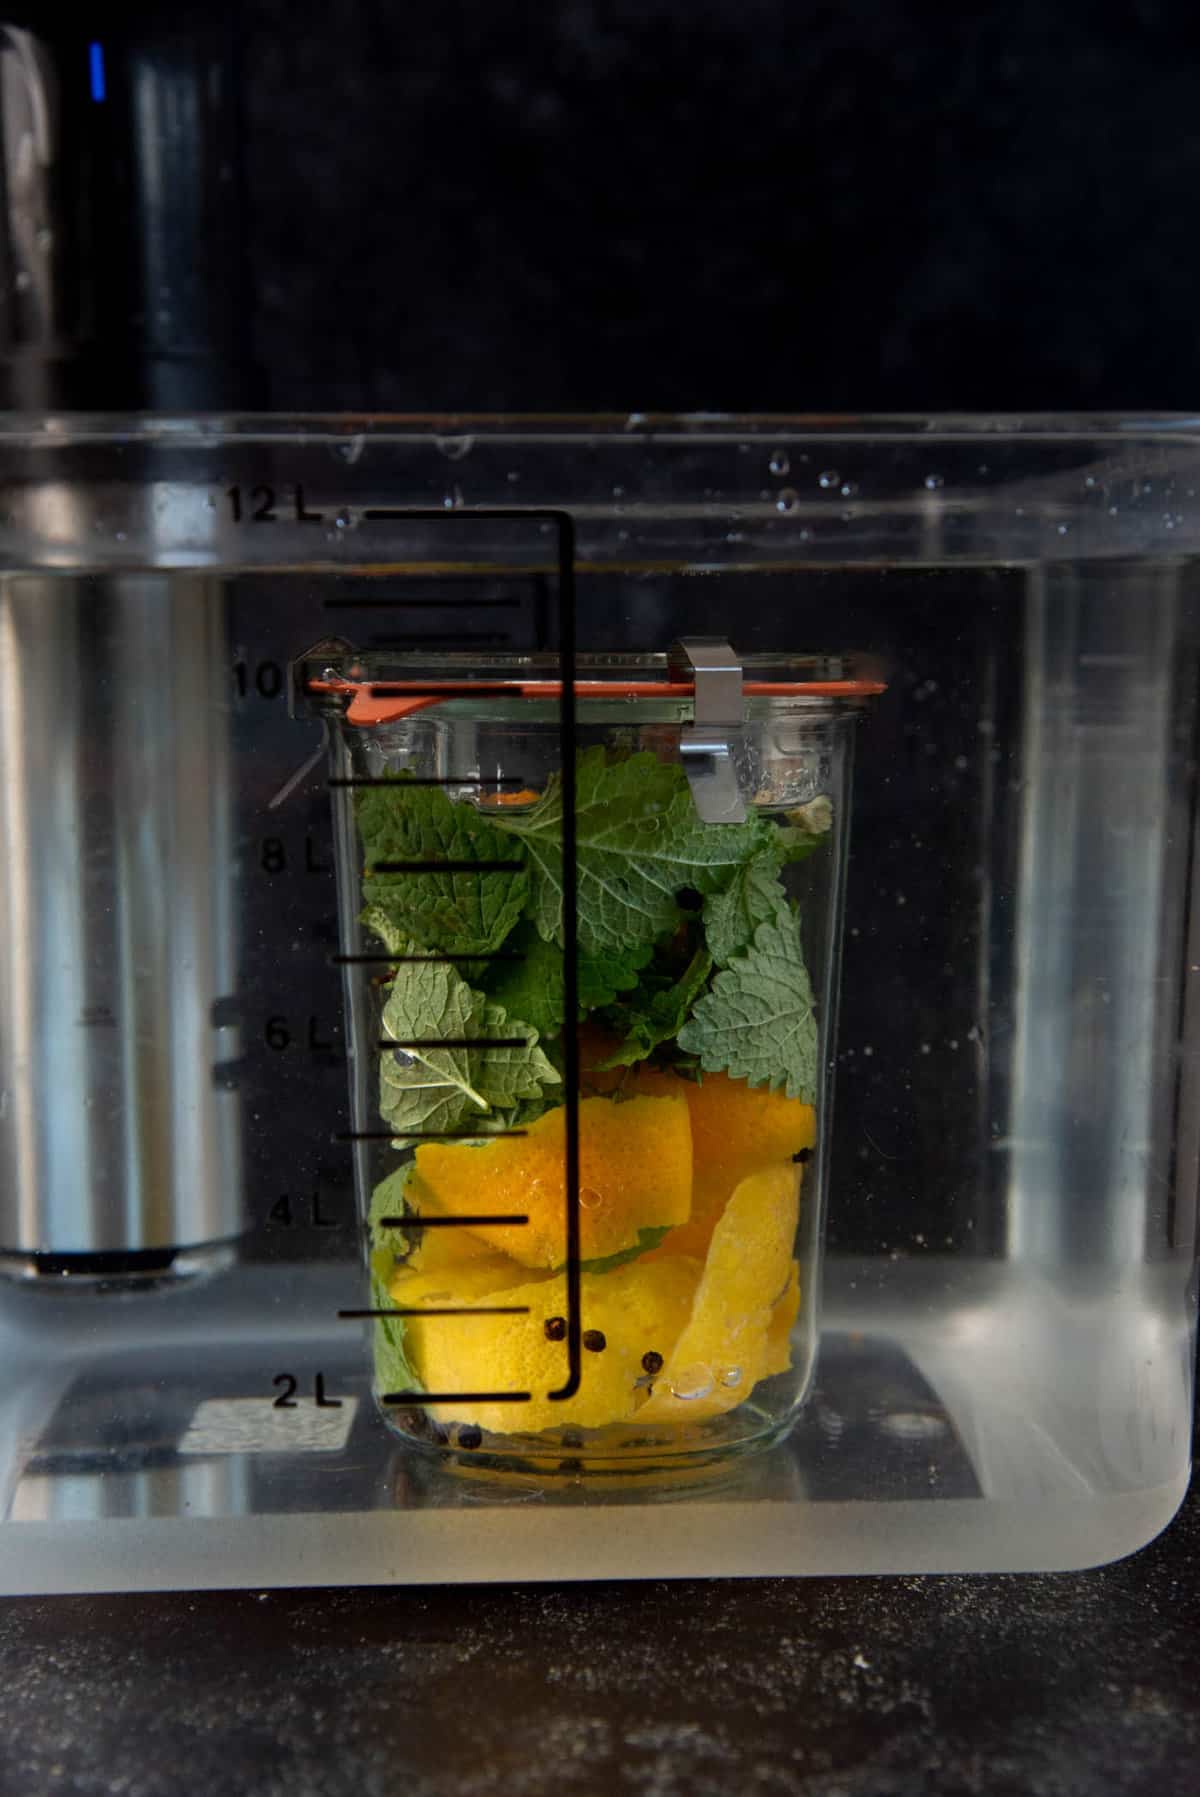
x,y
639,845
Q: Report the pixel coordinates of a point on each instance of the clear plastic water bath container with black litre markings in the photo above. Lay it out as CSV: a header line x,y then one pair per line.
x,y
486,1092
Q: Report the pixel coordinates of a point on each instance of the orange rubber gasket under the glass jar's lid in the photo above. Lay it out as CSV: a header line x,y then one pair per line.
x,y
384,702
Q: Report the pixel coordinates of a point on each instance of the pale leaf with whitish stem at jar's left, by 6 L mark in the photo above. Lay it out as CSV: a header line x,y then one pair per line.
x,y
434,1088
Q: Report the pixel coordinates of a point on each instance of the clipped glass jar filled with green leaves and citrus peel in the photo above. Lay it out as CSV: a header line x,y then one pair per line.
x,y
594,1207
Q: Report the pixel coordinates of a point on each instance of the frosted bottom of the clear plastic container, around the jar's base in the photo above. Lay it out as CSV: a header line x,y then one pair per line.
x,y
964,1419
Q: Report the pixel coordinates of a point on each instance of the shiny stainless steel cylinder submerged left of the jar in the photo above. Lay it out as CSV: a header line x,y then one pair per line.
x,y
119,1126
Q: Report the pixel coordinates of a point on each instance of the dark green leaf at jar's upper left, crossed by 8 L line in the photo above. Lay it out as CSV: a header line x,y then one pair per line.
x,y
459,914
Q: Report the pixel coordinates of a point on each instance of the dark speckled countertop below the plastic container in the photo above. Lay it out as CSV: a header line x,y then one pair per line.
x,y
1041,1686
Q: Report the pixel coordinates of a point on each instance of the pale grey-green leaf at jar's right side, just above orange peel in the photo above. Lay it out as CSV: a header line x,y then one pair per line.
x,y
757,1023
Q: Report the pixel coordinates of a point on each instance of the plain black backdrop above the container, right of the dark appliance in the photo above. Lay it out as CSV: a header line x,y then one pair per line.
x,y
763,206
